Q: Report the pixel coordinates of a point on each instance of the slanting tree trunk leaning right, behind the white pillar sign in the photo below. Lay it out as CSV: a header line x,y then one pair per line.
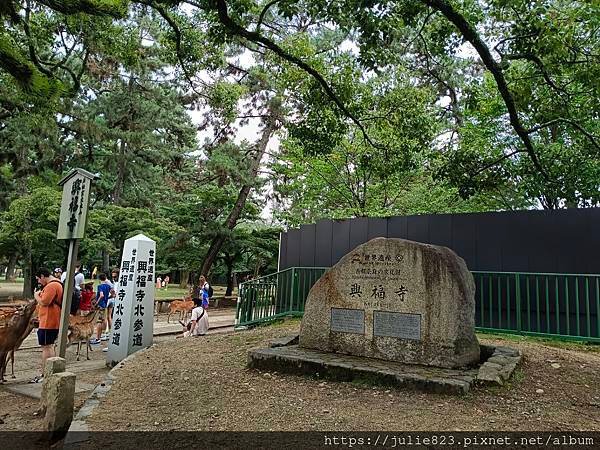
x,y
234,215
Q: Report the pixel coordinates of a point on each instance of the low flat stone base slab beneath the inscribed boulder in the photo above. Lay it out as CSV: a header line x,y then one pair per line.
x,y
301,361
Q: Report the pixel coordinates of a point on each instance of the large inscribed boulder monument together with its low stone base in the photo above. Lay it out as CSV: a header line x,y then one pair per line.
x,y
396,312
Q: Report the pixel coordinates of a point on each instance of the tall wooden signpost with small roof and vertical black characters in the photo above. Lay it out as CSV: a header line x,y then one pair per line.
x,y
71,226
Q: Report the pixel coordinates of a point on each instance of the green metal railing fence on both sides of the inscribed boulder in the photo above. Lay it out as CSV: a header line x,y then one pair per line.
x,y
564,306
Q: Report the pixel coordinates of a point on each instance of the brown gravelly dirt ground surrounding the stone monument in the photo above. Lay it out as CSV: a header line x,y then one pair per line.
x,y
203,384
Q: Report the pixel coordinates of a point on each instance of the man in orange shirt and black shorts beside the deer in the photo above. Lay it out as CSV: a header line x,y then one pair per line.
x,y
49,299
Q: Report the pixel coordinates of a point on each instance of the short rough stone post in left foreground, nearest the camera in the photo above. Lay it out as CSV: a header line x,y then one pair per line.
x,y
60,395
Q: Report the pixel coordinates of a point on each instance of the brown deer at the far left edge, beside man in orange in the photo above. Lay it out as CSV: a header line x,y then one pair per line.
x,y
12,333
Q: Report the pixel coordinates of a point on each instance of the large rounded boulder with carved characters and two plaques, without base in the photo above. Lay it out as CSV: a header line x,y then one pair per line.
x,y
396,300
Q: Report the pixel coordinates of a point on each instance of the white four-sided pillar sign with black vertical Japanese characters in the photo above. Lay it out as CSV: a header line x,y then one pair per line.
x,y
133,313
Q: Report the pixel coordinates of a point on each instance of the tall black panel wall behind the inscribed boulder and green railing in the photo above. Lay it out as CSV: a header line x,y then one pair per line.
x,y
534,270
